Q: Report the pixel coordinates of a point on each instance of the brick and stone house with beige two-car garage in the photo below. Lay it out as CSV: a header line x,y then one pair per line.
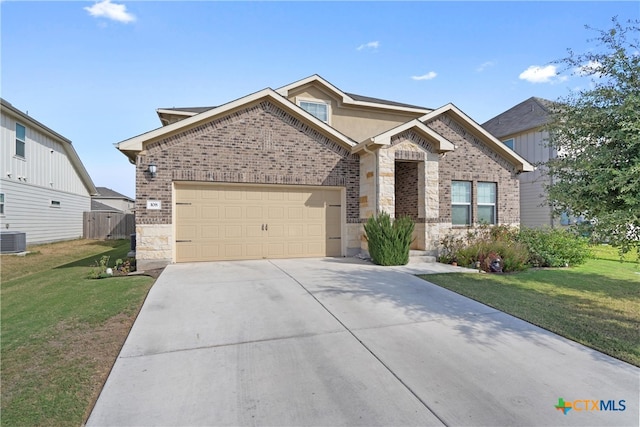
x,y
296,171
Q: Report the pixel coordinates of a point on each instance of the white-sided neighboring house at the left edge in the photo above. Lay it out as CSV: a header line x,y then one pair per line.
x,y
44,187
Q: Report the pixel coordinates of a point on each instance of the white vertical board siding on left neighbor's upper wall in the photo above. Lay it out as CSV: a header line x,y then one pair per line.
x,y
45,164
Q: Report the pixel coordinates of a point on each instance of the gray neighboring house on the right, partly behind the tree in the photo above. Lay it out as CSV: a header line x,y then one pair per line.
x,y
521,128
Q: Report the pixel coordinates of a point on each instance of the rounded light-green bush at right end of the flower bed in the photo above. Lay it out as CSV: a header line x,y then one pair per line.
x,y
552,247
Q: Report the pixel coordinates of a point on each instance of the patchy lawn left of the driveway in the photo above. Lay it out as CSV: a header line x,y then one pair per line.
x,y
61,331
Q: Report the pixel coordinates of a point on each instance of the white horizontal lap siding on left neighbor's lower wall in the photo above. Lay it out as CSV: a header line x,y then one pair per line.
x,y
28,208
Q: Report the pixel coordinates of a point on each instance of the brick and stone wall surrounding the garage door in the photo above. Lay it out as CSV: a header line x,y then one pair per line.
x,y
257,144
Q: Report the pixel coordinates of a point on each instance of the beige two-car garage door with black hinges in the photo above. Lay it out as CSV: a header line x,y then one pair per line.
x,y
233,222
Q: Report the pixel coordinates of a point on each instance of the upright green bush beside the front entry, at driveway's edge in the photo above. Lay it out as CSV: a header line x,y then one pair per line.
x,y
389,241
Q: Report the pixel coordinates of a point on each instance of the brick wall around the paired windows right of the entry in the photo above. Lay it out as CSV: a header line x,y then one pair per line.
x,y
473,161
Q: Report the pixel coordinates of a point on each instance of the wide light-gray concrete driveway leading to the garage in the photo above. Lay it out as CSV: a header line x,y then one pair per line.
x,y
343,342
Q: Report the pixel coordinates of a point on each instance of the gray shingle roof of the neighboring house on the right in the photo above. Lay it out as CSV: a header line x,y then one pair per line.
x,y
529,114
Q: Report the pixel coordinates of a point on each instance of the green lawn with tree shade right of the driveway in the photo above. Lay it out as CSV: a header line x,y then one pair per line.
x,y
596,304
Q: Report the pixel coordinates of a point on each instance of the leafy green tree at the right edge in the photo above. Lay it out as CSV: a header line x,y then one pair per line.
x,y
596,132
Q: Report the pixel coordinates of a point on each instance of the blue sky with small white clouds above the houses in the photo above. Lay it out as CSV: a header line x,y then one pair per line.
x,y
96,71
